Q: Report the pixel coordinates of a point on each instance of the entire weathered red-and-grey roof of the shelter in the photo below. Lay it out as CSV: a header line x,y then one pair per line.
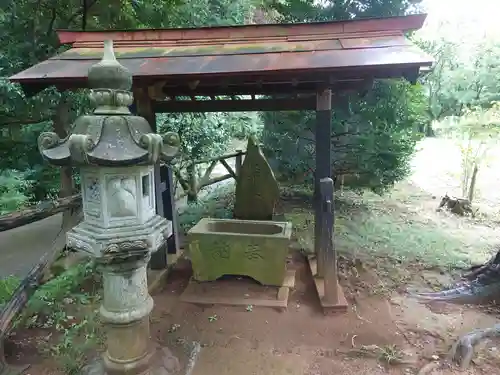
x,y
251,59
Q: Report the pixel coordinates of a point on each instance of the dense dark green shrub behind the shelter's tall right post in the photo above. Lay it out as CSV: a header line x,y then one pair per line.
x,y
373,136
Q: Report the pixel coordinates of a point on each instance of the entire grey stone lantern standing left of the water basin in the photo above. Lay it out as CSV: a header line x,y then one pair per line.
x,y
117,152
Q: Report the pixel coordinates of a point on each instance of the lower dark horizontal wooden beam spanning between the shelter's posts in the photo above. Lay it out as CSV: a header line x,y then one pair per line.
x,y
183,106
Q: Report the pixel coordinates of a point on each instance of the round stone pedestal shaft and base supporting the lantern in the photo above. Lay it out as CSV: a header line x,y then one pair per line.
x,y
125,311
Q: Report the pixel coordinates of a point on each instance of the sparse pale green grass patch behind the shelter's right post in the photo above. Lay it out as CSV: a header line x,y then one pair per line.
x,y
370,226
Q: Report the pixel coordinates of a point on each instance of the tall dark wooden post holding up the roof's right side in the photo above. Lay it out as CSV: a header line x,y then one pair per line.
x,y
323,135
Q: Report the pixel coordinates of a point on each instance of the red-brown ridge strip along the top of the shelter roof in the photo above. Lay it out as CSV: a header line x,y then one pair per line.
x,y
400,23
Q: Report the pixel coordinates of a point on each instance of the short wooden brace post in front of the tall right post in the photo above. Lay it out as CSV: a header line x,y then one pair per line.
x,y
327,244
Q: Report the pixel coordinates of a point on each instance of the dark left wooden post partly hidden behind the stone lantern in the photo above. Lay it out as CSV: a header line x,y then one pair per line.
x,y
165,205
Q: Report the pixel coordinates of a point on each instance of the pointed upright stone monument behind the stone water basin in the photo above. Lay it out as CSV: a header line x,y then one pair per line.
x,y
257,190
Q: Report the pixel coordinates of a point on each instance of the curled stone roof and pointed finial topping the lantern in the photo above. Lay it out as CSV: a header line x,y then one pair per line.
x,y
111,136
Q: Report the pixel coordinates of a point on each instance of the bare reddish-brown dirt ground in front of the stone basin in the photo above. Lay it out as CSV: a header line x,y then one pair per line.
x,y
407,334
